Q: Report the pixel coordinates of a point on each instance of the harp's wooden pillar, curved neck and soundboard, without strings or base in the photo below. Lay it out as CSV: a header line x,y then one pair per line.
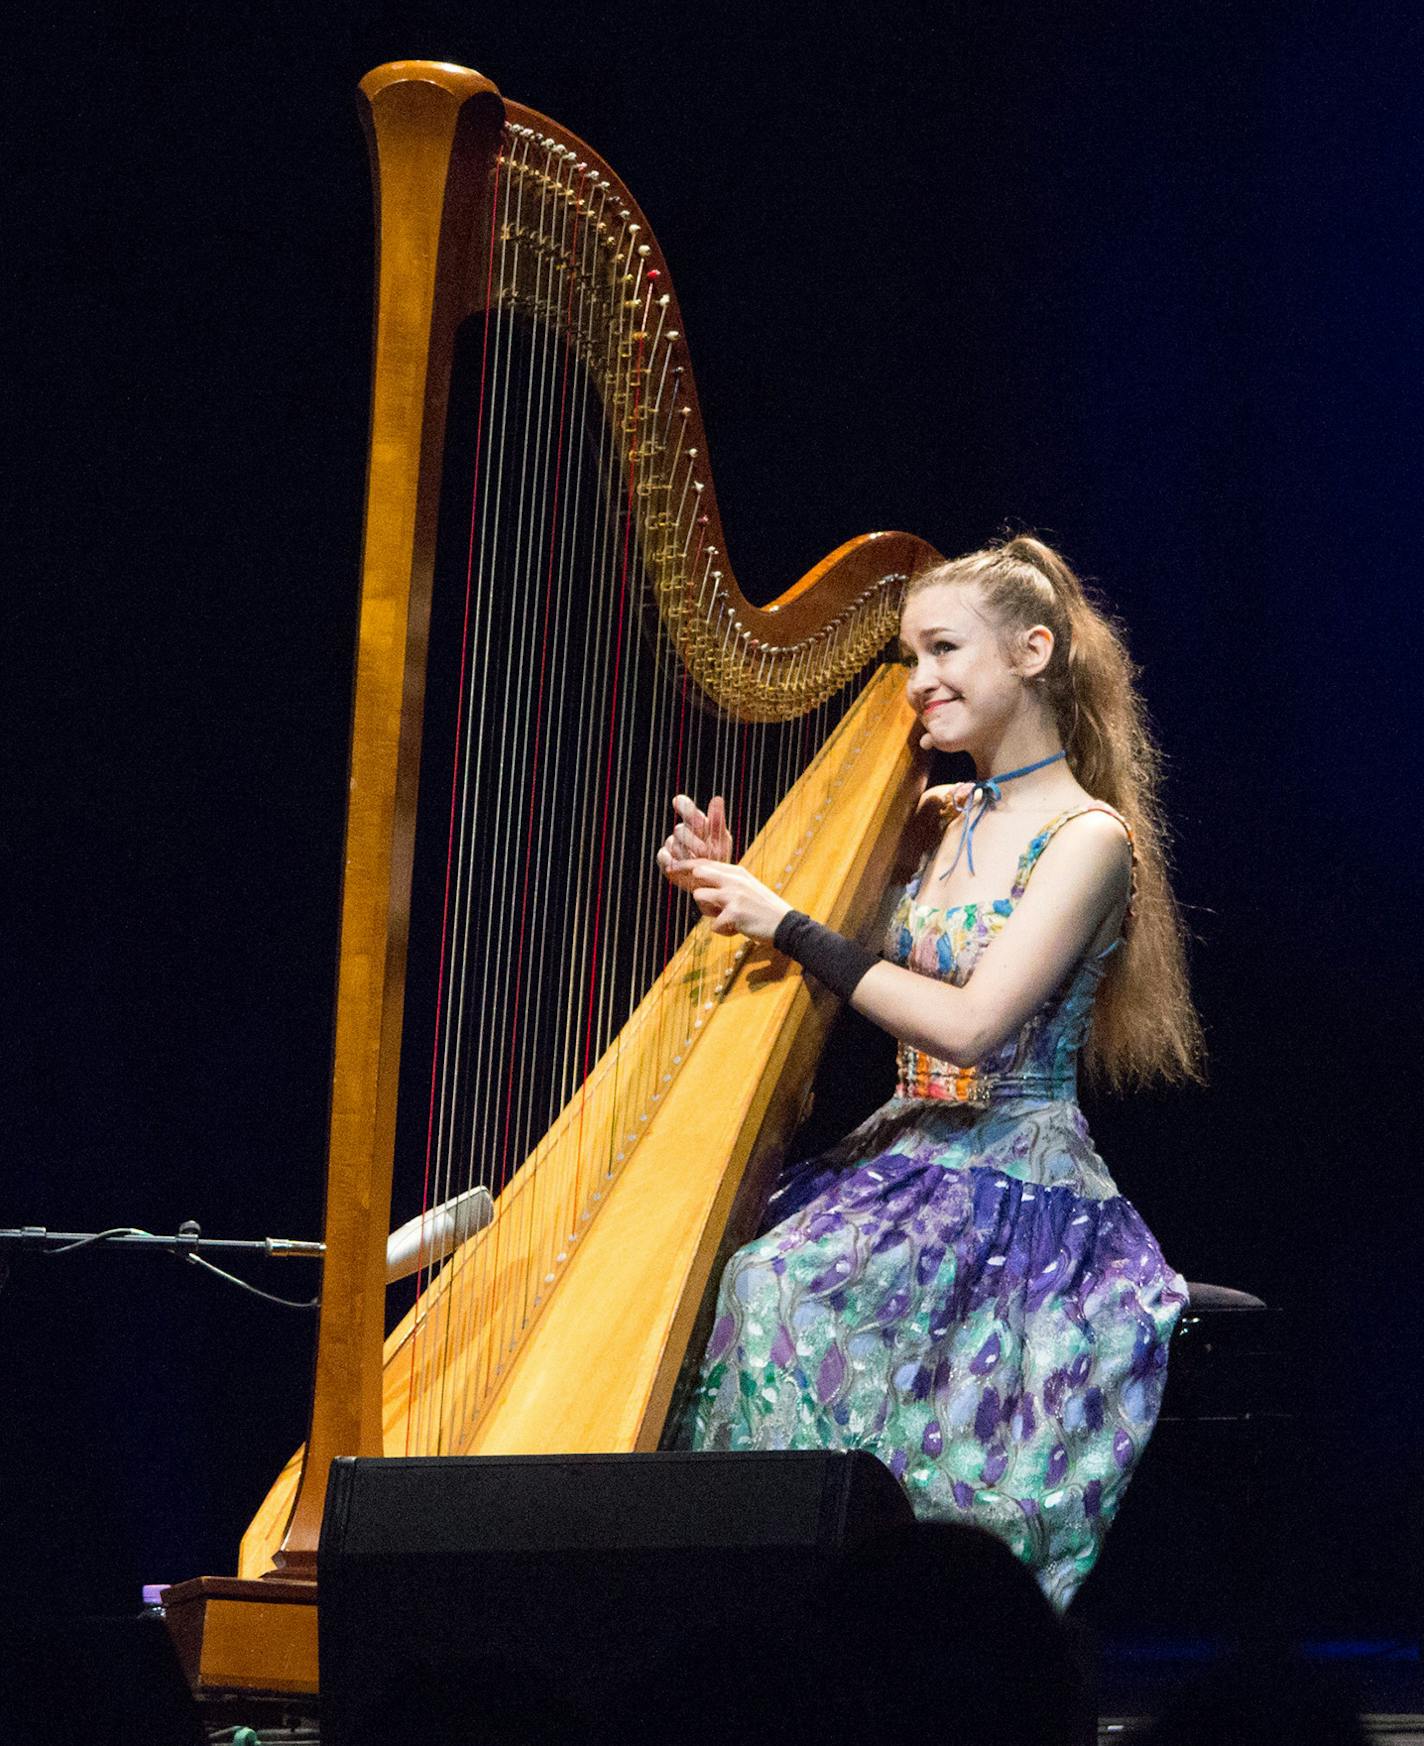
x,y
460,177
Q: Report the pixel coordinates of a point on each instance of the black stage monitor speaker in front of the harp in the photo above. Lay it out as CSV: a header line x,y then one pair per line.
x,y
573,1598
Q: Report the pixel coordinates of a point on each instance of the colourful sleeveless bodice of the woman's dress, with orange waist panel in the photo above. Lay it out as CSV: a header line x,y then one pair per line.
x,y
1043,1059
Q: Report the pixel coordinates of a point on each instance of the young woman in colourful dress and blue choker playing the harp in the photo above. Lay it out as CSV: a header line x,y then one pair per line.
x,y
959,1286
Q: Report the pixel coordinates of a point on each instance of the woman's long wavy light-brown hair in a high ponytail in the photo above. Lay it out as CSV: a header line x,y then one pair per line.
x,y
1144,1022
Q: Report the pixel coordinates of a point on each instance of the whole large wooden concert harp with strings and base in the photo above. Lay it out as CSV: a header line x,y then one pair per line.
x,y
552,643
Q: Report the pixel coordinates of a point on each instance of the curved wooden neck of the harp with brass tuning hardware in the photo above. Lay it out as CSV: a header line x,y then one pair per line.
x,y
845,607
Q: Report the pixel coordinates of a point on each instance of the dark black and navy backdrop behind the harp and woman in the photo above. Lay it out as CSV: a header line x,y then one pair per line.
x,y
1139,278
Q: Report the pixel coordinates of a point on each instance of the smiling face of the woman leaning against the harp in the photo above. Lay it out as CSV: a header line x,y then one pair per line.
x,y
961,685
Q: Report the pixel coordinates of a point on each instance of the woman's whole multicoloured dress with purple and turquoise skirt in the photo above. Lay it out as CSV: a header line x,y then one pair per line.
x,y
959,1288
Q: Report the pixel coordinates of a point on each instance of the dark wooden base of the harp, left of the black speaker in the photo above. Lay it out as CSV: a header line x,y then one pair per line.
x,y
236,1635
